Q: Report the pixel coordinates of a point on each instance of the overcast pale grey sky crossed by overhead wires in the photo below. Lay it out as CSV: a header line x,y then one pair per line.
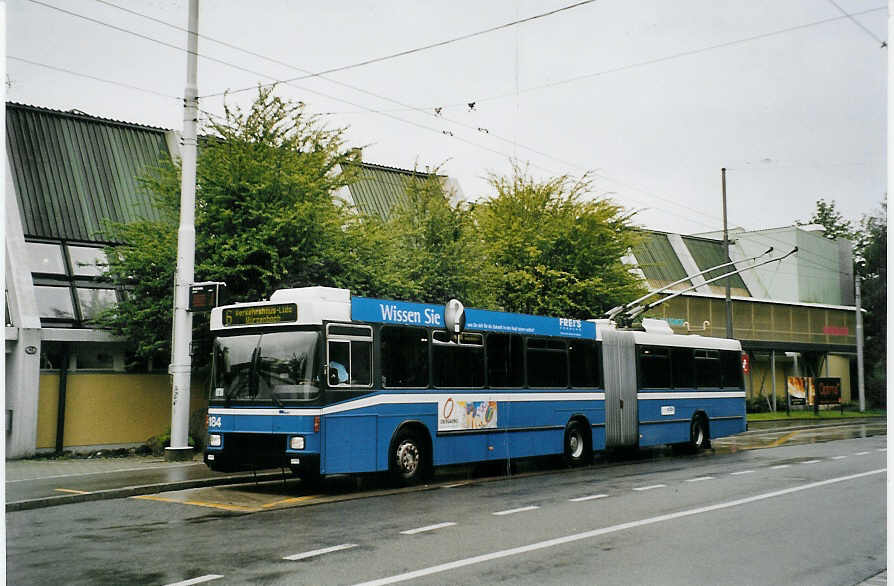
x,y
653,96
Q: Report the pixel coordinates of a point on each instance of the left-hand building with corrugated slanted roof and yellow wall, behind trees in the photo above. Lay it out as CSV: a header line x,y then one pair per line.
x,y
67,384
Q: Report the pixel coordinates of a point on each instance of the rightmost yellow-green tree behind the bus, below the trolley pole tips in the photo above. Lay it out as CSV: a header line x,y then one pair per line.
x,y
557,249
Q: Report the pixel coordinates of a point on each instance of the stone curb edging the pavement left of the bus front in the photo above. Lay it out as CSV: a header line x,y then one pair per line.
x,y
129,491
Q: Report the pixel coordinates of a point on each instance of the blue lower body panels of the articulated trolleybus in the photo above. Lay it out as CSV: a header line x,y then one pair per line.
x,y
356,440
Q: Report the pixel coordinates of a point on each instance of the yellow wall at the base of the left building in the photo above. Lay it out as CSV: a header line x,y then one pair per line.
x,y
108,408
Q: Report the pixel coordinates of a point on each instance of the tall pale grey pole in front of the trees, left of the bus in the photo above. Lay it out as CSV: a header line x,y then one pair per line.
x,y
181,361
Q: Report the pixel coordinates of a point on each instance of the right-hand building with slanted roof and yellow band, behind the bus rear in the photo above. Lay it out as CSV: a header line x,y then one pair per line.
x,y
794,317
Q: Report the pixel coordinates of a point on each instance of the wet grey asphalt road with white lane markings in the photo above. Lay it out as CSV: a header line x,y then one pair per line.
x,y
800,513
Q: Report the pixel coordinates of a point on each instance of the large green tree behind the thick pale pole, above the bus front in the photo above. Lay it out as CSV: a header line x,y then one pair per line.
x,y
265,218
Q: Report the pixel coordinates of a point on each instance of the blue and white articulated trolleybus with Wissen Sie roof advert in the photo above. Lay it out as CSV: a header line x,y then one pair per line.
x,y
324,382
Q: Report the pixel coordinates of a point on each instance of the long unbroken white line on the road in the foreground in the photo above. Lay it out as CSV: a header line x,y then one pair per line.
x,y
606,530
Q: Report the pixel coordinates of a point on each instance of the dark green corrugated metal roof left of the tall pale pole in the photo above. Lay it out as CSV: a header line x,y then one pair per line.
x,y
71,171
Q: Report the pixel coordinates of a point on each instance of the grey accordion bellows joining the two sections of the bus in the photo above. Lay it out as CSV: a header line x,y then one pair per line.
x,y
621,417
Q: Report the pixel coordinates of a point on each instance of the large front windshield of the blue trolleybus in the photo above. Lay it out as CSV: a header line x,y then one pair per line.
x,y
273,367
